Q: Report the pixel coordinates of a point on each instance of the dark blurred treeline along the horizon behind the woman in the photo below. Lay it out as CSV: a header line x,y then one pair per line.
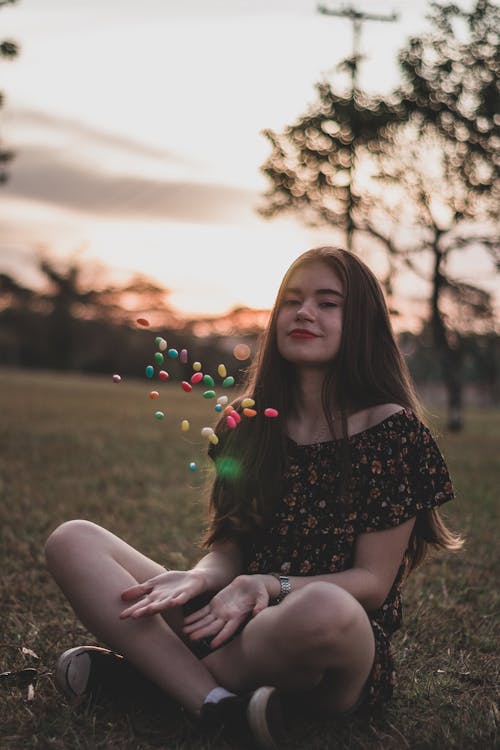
x,y
91,332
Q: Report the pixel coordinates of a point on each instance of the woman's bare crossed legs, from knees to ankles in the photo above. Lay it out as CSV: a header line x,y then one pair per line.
x,y
318,639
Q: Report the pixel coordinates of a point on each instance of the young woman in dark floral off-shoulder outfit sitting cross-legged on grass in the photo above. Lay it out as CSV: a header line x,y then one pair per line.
x,y
316,518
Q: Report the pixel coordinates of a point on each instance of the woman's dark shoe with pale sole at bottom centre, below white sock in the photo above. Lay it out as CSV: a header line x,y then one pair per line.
x,y
253,717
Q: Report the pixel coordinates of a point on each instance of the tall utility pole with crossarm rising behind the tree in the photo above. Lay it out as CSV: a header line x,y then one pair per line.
x,y
352,63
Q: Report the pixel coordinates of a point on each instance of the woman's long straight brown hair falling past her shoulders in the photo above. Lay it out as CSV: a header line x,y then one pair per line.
x,y
368,369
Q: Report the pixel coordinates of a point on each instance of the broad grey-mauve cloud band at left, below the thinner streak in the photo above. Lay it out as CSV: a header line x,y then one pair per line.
x,y
43,174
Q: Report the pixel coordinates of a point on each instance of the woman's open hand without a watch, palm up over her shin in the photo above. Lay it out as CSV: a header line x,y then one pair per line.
x,y
170,589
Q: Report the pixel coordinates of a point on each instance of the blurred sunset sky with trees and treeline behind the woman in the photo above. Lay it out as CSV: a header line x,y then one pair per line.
x,y
170,158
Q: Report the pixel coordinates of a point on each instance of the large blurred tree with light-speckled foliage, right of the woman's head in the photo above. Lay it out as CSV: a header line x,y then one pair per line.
x,y
426,180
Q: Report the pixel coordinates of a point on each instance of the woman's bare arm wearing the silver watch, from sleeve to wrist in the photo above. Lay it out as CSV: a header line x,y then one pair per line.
x,y
377,557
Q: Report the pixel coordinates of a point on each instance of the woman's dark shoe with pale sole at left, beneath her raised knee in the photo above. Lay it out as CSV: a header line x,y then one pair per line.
x,y
89,671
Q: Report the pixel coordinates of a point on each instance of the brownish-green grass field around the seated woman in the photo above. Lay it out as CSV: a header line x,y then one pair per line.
x,y
75,446
